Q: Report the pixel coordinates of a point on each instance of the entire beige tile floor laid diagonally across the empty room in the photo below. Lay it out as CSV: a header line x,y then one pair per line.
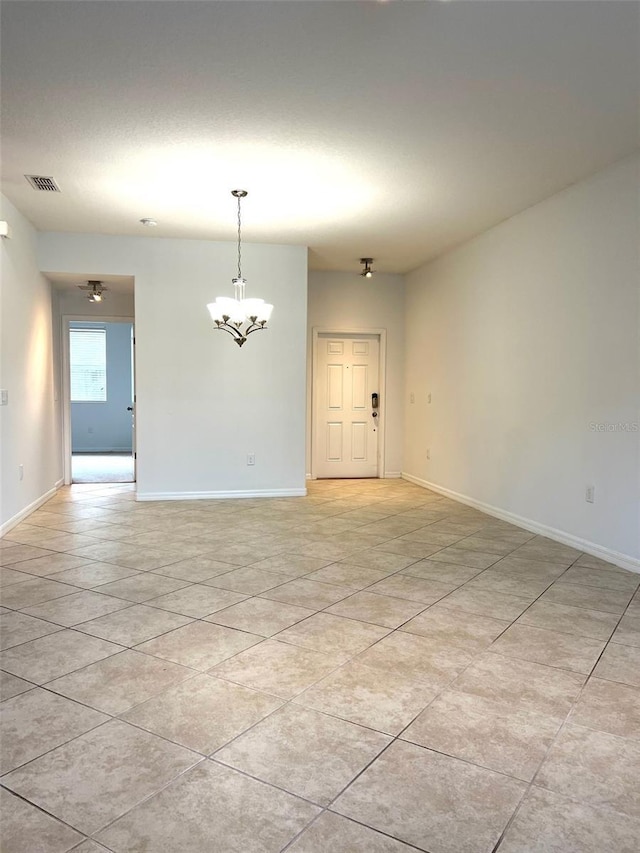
x,y
371,668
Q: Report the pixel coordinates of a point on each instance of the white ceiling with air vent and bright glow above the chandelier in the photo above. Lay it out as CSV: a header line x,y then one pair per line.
x,y
392,130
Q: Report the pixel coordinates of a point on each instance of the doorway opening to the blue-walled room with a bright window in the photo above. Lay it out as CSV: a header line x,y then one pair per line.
x,y
99,405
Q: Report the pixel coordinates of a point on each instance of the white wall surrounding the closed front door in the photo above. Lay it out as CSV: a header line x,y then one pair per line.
x,y
346,300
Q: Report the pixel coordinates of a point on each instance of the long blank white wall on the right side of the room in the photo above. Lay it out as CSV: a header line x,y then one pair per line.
x,y
525,337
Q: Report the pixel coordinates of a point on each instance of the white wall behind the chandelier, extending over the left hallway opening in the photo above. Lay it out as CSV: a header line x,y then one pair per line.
x,y
203,403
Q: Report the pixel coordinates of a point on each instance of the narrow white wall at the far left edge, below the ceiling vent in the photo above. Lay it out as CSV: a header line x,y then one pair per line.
x,y
29,423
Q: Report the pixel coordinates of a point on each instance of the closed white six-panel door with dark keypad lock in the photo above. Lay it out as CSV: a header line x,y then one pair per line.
x,y
346,420
